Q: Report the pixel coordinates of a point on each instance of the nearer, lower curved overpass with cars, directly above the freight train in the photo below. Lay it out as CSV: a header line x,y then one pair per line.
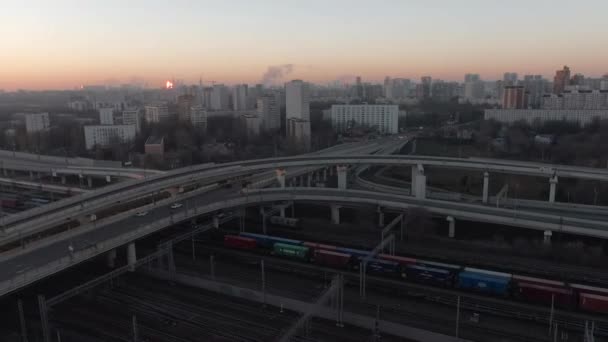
x,y
26,266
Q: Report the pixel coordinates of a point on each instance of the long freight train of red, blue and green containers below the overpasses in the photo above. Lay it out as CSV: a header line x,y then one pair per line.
x,y
524,288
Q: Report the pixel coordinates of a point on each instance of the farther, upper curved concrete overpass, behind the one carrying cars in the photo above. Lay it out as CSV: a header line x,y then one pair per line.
x,y
57,212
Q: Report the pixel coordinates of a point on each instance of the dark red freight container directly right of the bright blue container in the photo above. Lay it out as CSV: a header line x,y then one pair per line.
x,y
543,291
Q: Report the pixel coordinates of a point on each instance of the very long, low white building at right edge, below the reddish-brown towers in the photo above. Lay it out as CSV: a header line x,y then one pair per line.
x,y
580,116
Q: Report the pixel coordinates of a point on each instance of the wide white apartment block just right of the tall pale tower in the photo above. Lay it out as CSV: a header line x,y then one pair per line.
x,y
385,118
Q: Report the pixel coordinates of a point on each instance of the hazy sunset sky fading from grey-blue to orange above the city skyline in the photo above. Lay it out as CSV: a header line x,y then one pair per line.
x,y
62,44
